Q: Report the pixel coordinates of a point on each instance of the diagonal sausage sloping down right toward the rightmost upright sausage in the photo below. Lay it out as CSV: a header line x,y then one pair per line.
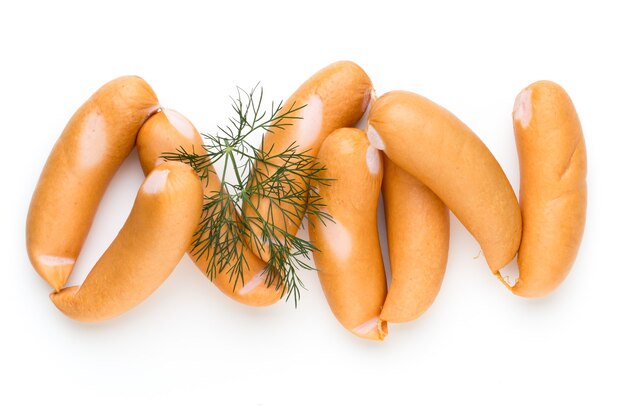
x,y
435,147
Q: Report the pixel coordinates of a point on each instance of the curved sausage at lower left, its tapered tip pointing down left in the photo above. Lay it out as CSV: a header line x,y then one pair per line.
x,y
146,250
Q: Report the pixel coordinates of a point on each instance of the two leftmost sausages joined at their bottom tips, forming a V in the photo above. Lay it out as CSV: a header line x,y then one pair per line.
x,y
93,145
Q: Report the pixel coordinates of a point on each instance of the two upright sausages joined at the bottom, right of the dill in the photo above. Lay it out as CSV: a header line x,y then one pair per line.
x,y
349,260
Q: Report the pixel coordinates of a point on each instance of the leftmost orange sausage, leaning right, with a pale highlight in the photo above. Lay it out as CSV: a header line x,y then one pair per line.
x,y
93,145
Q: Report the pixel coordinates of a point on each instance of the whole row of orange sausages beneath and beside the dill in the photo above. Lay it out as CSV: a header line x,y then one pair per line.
x,y
424,159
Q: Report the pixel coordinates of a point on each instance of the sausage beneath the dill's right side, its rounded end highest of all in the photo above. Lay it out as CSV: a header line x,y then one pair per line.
x,y
335,97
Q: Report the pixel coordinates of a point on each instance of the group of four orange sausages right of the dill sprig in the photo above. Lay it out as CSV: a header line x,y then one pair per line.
x,y
433,161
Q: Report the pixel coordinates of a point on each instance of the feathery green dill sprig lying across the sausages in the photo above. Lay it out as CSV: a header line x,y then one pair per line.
x,y
283,182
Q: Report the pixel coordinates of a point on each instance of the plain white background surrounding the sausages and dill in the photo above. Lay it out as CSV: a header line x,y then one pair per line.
x,y
188,350
